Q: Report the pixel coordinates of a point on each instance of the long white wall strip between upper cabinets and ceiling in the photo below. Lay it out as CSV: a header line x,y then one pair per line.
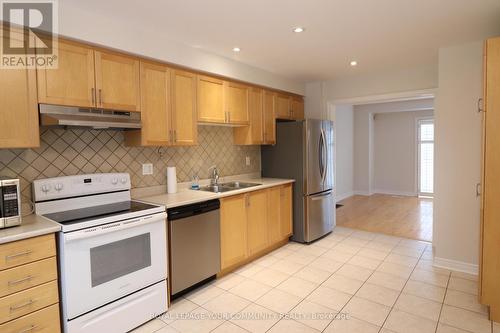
x,y
113,32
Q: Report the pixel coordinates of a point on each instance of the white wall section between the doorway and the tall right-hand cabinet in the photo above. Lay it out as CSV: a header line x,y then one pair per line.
x,y
458,156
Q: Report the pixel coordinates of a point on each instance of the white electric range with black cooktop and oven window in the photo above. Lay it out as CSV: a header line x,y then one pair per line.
x,y
112,251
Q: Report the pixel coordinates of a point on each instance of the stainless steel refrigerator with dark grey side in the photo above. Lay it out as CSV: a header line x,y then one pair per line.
x,y
304,151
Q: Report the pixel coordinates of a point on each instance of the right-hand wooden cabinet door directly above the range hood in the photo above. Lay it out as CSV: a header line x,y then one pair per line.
x,y
117,81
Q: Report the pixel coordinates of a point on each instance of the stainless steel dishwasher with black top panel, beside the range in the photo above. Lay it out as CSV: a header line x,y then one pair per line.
x,y
194,244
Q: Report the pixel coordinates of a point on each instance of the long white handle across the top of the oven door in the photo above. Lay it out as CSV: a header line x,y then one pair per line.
x,y
112,227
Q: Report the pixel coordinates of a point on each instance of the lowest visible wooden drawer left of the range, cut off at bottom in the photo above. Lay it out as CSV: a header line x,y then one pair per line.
x,y
42,321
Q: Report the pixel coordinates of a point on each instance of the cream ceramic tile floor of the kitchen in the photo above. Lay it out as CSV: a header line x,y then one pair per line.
x,y
349,281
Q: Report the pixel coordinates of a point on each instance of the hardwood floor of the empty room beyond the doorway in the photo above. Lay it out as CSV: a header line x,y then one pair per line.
x,y
408,217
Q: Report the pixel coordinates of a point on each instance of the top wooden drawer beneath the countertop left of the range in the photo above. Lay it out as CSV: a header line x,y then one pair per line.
x,y
26,251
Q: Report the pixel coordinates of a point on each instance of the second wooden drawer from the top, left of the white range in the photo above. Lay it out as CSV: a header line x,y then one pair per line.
x,y
26,276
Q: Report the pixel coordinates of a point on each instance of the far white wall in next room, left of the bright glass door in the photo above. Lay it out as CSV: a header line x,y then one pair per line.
x,y
395,152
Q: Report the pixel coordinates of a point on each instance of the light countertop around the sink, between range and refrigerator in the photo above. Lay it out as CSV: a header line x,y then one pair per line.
x,y
186,196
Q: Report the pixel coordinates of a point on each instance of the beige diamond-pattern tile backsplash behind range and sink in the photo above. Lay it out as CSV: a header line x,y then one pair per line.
x,y
78,151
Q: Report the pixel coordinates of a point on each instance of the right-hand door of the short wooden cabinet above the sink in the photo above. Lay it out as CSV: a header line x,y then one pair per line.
x,y
236,103
